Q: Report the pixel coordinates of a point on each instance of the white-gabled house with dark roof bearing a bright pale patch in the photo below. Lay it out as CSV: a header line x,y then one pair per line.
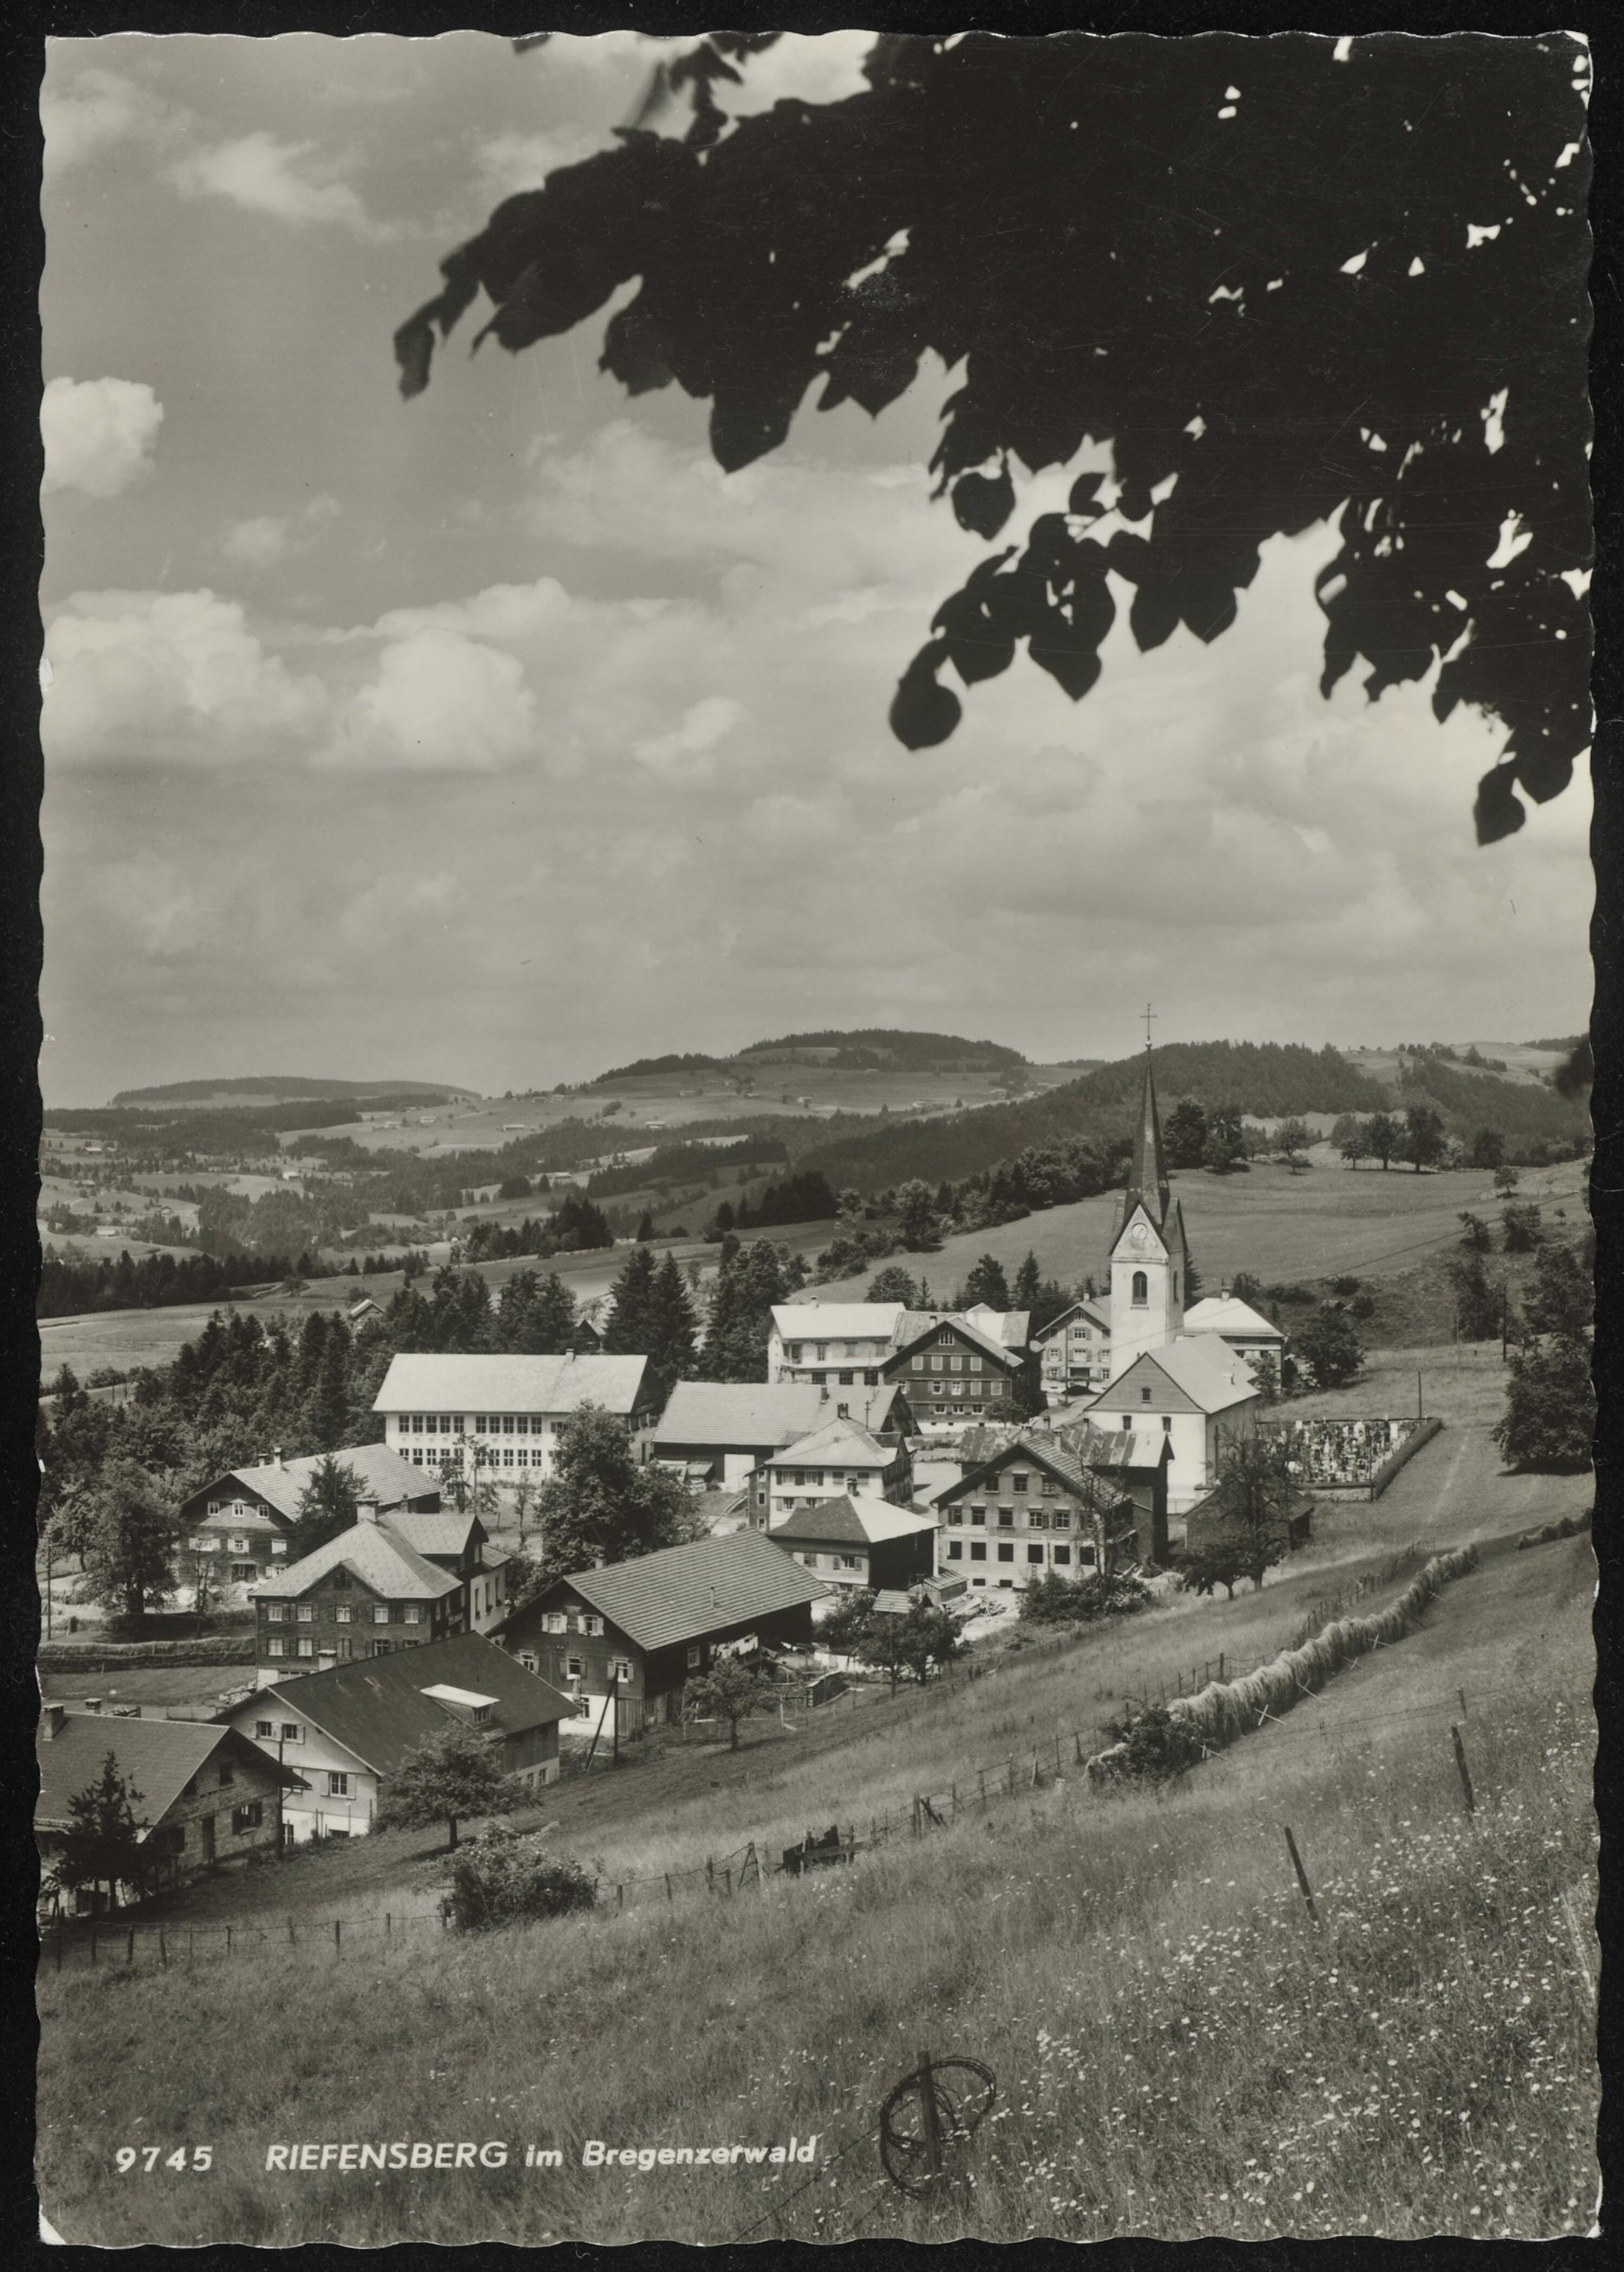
x,y
349,1728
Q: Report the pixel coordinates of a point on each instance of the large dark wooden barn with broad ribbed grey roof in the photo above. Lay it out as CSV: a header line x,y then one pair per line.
x,y
644,1628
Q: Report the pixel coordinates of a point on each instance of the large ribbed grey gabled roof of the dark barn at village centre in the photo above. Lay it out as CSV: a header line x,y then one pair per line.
x,y
683,1594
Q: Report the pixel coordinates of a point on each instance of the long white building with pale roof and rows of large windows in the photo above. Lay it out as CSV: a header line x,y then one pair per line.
x,y
503,1414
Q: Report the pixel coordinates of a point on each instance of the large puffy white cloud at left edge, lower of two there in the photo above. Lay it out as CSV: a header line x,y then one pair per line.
x,y
171,678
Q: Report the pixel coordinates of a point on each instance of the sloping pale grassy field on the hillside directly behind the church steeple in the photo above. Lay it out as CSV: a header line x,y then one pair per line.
x,y
1280,1226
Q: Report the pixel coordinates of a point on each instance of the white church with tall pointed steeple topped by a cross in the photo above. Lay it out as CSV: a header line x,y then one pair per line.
x,y
1173,1371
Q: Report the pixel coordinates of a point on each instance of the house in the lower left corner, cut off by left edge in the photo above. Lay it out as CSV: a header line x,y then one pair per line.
x,y
206,1796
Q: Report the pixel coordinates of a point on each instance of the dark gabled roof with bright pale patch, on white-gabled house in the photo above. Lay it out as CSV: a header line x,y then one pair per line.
x,y
378,1707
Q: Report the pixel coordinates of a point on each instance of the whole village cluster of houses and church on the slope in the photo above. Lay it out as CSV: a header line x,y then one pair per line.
x,y
903,1489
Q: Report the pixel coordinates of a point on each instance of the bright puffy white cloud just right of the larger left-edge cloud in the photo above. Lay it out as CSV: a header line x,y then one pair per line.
x,y
442,703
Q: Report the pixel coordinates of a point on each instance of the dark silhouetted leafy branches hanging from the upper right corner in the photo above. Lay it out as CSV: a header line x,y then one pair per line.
x,y
1305,353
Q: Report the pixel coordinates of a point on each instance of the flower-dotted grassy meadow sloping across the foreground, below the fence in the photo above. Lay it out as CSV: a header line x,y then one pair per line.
x,y
1180,2050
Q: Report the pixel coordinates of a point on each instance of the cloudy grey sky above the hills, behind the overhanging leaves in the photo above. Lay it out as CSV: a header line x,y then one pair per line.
x,y
501,737
